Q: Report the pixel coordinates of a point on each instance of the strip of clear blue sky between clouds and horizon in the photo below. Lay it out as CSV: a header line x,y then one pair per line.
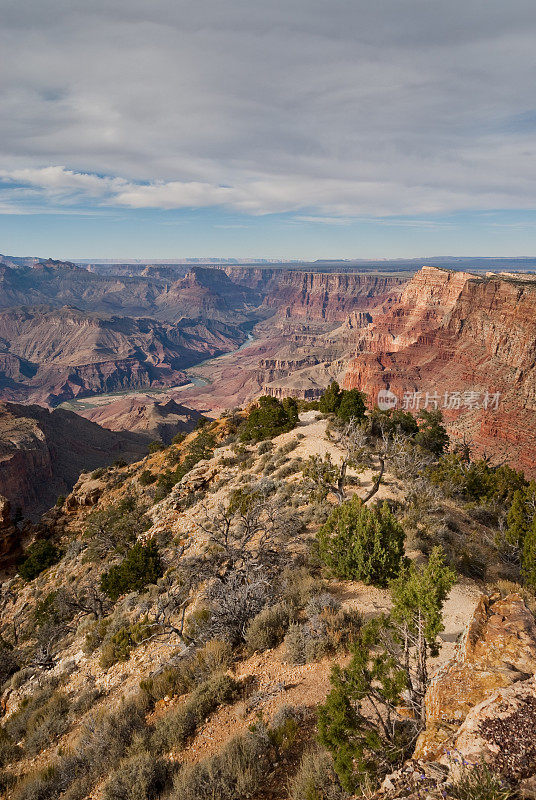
x,y
153,234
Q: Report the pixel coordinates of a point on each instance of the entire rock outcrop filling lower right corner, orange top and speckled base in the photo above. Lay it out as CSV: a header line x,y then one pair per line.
x,y
480,712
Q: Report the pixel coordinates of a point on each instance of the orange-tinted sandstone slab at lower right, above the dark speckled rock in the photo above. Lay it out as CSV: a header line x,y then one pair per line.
x,y
498,649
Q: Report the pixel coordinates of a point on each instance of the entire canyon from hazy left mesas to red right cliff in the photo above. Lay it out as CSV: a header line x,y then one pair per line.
x,y
210,339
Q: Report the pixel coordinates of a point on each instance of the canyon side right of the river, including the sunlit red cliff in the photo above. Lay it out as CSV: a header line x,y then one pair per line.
x,y
456,341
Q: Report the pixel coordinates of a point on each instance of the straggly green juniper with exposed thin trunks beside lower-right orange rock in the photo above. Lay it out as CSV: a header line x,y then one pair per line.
x,y
364,722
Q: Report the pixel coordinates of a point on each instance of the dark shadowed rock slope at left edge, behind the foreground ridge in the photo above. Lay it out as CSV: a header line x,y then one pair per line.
x,y
42,453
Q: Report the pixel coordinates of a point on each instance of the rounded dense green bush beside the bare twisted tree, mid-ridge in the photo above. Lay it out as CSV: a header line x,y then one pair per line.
x,y
362,543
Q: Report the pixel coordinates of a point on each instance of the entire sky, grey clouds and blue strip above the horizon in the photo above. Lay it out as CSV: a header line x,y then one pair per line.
x,y
267,128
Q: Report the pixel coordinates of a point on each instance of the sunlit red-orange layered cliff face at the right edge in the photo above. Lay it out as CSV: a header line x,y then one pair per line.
x,y
453,332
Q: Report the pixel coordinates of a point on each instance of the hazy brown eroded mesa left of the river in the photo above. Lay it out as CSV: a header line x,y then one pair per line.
x,y
52,355
